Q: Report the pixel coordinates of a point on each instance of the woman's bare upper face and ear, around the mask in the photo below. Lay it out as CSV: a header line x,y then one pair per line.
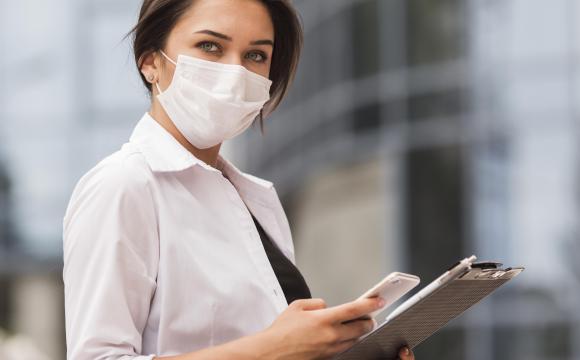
x,y
227,31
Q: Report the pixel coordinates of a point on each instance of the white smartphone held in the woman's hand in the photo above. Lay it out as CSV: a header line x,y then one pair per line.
x,y
391,289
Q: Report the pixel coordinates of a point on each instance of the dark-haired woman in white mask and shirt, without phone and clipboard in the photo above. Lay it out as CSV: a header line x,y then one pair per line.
x,y
170,252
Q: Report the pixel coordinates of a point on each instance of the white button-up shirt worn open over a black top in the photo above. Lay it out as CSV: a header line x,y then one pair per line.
x,y
161,255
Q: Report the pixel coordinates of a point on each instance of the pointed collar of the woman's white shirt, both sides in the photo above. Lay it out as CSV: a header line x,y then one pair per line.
x,y
164,153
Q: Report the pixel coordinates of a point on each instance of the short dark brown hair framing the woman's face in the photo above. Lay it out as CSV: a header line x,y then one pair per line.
x,y
158,17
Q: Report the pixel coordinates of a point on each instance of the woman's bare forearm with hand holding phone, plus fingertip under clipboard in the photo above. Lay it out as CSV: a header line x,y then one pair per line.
x,y
306,330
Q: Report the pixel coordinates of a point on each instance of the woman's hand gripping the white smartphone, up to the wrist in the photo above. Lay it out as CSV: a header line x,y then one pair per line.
x,y
309,330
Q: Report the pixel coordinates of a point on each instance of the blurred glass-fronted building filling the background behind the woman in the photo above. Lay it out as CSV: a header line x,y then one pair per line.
x,y
417,132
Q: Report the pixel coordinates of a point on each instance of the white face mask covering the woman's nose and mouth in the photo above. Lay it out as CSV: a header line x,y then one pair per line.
x,y
210,102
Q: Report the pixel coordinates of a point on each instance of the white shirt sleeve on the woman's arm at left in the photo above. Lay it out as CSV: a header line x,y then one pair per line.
x,y
111,255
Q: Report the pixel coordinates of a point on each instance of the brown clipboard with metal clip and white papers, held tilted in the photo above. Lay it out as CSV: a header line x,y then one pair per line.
x,y
459,288
